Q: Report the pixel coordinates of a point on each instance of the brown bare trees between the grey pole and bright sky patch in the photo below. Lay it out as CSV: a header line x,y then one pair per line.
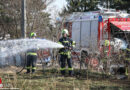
x,y
38,19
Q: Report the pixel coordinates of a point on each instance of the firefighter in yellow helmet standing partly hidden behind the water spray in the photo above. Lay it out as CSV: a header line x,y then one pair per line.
x,y
31,57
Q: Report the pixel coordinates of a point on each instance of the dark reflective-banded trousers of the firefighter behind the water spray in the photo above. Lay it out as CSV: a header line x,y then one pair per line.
x,y
31,63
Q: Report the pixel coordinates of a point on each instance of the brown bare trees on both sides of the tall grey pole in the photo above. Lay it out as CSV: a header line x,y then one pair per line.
x,y
37,19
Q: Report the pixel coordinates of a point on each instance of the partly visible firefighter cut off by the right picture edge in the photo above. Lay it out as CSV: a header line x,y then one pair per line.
x,y
127,59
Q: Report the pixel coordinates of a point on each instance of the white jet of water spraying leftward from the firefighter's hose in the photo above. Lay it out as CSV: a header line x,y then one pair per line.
x,y
13,47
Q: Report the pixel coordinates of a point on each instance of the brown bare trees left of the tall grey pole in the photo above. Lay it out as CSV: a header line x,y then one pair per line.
x,y
10,18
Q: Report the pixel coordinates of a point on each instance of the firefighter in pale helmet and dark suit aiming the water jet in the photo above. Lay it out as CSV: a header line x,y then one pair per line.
x,y
65,53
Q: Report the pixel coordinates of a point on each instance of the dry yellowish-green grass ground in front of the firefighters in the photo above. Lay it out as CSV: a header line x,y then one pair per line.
x,y
52,80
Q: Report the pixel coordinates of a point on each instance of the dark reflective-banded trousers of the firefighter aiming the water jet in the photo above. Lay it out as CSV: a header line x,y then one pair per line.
x,y
63,59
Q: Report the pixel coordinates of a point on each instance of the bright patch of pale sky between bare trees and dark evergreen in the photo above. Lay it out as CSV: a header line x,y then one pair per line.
x,y
55,8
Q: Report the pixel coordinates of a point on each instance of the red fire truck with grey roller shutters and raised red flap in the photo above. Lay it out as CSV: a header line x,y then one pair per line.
x,y
90,34
